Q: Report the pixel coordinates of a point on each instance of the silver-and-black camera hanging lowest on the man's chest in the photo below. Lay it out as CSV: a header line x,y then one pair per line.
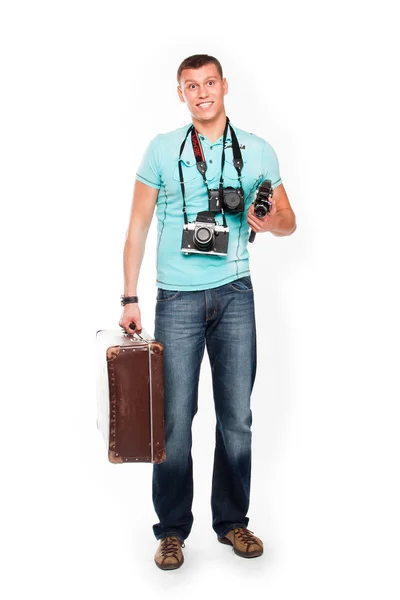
x,y
205,236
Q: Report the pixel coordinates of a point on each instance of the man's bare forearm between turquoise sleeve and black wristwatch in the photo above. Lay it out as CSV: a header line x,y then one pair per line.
x,y
143,204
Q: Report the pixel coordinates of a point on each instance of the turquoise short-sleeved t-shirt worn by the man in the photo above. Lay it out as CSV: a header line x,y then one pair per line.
x,y
159,169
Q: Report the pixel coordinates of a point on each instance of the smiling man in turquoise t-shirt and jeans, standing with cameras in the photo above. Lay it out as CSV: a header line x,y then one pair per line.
x,y
204,298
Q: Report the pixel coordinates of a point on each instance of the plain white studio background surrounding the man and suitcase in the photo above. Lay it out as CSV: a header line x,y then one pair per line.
x,y
85,86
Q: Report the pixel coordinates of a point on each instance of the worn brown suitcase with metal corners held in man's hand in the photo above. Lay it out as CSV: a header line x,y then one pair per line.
x,y
130,396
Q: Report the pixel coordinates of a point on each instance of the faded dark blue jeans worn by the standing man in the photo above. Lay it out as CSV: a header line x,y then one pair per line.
x,y
222,319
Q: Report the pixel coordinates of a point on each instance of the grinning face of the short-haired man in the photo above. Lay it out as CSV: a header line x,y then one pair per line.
x,y
203,91
